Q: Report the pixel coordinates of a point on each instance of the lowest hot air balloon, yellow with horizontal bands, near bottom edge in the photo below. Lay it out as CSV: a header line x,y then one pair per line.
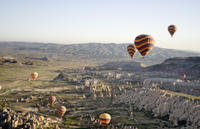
x,y
104,119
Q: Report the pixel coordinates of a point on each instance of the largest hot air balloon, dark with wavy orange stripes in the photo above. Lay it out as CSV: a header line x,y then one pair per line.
x,y
144,44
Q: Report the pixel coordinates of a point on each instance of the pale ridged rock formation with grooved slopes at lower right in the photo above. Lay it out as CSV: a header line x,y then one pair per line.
x,y
181,111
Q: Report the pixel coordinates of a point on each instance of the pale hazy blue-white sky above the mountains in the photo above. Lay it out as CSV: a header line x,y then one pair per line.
x,y
105,21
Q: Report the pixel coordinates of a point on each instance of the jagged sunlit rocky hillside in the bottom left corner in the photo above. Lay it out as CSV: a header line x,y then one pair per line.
x,y
10,119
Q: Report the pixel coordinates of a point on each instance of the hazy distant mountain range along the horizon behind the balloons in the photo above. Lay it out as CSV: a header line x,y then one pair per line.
x,y
98,52
